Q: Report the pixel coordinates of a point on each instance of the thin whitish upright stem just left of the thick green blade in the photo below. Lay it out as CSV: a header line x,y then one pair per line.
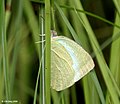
x,y
42,54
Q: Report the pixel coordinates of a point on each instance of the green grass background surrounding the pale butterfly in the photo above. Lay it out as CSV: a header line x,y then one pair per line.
x,y
92,24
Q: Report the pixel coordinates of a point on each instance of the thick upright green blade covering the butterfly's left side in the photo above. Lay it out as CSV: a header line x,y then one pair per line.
x,y
47,52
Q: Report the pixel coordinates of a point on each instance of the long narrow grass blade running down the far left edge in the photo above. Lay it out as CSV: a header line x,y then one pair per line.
x,y
4,49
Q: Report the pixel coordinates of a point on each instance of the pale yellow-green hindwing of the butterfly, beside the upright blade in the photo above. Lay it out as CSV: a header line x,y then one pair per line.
x,y
62,73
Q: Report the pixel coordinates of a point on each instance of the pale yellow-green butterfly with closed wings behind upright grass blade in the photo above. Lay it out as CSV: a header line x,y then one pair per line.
x,y
69,62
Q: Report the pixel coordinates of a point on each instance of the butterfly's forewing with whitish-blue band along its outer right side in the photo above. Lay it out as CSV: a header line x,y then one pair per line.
x,y
82,61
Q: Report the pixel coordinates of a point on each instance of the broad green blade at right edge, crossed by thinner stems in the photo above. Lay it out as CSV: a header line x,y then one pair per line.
x,y
114,57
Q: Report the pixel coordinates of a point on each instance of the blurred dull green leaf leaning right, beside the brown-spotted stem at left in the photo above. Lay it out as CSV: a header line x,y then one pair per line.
x,y
16,33
